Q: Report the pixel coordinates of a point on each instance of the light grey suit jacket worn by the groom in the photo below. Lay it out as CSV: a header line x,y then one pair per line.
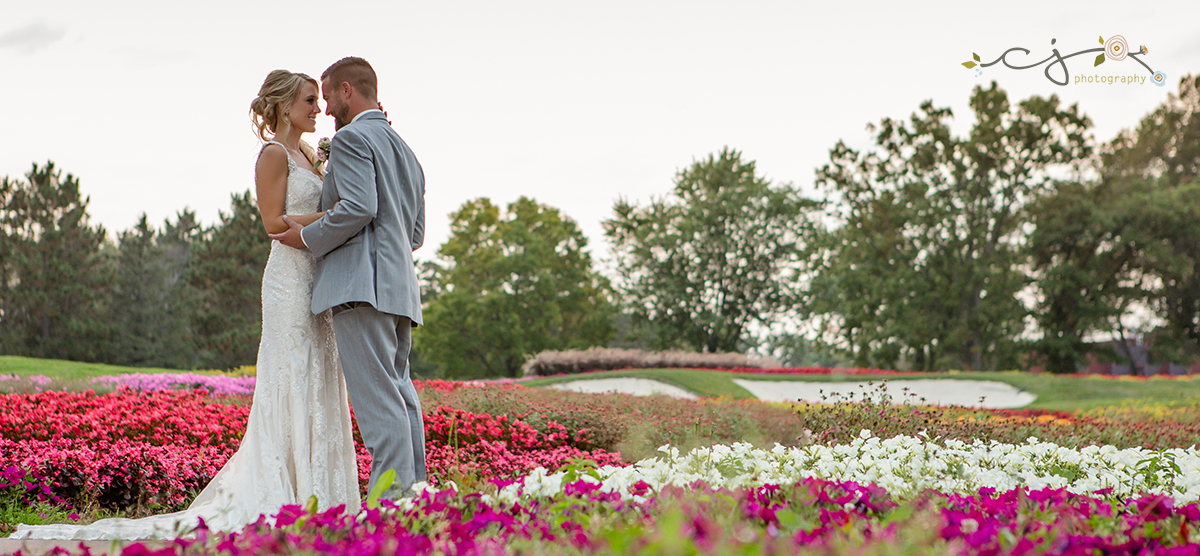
x,y
365,244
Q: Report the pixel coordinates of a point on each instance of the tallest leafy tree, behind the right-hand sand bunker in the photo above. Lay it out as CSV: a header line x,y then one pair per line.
x,y
925,262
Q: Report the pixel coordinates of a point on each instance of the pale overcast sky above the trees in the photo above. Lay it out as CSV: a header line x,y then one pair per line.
x,y
572,104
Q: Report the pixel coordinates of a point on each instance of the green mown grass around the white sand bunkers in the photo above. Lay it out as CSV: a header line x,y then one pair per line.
x,y
1054,392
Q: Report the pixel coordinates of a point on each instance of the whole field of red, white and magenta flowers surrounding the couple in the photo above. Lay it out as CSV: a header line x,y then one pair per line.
x,y
519,470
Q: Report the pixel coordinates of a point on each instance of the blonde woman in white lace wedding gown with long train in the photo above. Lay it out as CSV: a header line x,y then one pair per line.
x,y
298,439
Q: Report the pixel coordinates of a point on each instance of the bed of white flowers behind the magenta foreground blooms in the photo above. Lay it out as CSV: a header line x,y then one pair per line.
x,y
907,467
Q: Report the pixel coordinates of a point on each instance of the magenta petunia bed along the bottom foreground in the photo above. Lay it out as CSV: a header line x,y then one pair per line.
x,y
585,516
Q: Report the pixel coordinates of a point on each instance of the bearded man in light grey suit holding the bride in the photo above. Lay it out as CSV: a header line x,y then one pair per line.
x,y
375,204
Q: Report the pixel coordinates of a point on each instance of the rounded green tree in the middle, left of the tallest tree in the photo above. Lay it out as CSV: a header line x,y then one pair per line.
x,y
721,254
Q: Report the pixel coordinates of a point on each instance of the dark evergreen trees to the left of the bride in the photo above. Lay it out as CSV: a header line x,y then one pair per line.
x,y
181,296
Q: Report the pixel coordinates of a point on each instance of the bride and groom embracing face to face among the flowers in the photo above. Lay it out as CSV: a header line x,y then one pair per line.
x,y
340,301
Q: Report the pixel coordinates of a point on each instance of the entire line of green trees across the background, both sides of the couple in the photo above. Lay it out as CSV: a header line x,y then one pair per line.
x,y
1010,247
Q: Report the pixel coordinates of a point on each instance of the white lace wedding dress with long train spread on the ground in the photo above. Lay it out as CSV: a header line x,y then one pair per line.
x,y
298,440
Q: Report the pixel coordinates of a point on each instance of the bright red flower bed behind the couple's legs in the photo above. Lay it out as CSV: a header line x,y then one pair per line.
x,y
137,452
